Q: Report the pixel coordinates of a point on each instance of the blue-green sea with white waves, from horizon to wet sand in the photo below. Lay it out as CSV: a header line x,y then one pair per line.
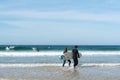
x,y
40,55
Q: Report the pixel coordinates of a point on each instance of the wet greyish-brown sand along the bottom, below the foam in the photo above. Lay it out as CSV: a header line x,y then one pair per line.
x,y
60,73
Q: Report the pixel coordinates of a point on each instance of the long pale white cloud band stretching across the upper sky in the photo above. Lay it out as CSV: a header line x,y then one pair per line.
x,y
65,15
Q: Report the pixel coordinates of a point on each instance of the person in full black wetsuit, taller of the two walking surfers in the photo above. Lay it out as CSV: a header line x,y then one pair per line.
x,y
75,55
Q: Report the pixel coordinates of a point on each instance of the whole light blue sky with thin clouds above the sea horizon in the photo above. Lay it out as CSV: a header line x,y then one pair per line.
x,y
59,22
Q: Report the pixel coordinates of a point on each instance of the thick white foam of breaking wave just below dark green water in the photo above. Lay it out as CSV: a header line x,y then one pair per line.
x,y
56,53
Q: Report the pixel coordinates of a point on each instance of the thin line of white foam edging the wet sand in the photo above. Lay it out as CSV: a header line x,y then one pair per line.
x,y
59,64
